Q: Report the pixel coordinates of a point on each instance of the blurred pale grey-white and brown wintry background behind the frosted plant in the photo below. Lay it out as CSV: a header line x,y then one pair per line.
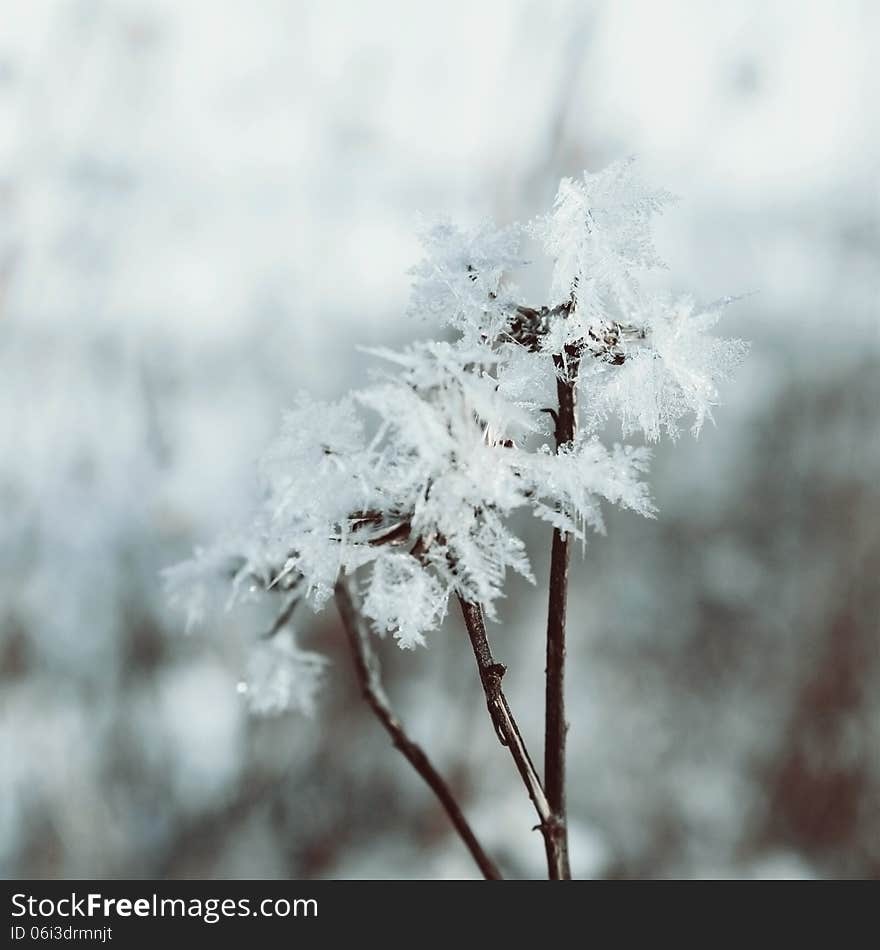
x,y
204,206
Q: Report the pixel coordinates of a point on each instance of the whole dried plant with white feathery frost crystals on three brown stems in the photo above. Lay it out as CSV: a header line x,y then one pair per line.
x,y
409,483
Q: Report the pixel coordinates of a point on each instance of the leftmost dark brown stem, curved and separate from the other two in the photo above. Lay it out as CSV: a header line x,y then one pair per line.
x,y
366,665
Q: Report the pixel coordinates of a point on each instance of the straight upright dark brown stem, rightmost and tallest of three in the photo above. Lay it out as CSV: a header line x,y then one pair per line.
x,y
555,726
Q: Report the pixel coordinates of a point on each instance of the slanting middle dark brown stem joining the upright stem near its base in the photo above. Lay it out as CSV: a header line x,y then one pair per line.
x,y
505,725
